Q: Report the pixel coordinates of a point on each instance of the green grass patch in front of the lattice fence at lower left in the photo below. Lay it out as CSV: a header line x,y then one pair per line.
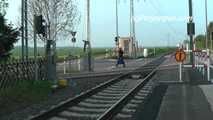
x,y
27,91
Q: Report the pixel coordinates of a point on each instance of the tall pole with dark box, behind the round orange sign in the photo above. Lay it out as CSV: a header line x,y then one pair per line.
x,y
191,31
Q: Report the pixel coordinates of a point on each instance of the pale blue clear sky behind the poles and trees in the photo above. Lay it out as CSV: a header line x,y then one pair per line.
x,y
155,21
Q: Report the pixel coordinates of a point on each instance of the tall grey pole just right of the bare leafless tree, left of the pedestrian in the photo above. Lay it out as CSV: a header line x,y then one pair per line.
x,y
88,36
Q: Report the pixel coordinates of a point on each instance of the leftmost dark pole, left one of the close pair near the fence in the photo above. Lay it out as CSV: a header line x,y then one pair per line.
x,y
22,29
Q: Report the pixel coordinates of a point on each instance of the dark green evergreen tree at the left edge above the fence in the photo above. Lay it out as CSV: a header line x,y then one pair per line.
x,y
8,36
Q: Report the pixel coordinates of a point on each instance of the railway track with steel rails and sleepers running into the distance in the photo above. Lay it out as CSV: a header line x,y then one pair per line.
x,y
114,99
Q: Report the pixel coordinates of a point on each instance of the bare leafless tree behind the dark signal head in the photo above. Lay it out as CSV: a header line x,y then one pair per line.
x,y
61,15
